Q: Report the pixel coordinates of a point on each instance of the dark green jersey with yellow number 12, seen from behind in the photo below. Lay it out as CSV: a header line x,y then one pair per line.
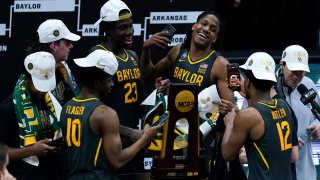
x,y
269,157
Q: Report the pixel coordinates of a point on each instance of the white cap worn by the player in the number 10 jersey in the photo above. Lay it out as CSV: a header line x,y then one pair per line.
x,y
101,59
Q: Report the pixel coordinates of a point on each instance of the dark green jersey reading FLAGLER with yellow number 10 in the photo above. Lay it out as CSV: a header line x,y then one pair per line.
x,y
85,153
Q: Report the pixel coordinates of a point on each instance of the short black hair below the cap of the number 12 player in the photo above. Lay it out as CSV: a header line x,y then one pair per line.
x,y
262,85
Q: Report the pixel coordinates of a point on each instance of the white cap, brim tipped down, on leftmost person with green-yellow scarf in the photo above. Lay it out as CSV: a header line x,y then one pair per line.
x,y
41,66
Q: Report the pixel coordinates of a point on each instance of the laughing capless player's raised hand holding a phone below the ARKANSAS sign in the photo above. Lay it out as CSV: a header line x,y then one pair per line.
x,y
157,40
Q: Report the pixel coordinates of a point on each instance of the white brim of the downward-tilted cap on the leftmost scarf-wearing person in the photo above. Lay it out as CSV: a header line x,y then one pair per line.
x,y
44,85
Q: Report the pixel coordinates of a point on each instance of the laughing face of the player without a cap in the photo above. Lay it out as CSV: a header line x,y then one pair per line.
x,y
205,31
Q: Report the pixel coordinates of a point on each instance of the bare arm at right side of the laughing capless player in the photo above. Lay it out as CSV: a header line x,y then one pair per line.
x,y
219,76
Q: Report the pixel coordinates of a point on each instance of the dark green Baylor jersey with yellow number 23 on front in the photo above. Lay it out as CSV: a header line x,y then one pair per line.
x,y
126,94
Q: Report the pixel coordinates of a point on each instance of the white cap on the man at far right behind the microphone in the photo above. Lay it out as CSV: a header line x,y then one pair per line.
x,y
296,58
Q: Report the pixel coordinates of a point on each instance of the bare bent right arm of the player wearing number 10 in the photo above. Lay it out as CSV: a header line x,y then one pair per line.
x,y
107,121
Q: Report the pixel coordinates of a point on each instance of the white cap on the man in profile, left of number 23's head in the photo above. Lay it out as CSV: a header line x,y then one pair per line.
x,y
53,30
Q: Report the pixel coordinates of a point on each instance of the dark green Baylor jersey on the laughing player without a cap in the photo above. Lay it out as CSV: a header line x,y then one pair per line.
x,y
197,72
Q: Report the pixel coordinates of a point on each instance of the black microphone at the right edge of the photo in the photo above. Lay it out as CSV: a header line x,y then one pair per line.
x,y
308,96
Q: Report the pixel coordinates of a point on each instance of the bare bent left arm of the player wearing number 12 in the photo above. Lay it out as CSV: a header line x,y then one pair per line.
x,y
238,127
